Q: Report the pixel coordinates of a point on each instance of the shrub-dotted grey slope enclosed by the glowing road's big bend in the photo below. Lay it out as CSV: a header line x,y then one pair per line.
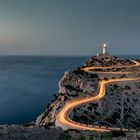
x,y
118,108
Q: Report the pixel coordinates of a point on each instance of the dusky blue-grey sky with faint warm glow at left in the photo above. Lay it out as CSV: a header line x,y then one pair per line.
x,y
69,27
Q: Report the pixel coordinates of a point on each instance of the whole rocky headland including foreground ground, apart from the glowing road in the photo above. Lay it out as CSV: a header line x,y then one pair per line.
x,y
118,108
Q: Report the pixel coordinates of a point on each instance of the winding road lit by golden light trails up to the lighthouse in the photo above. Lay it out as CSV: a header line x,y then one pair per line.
x,y
65,122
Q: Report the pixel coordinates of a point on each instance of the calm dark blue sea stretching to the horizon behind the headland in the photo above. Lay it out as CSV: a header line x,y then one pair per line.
x,y
28,84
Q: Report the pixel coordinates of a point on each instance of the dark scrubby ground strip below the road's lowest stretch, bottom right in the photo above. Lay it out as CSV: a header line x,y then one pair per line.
x,y
91,135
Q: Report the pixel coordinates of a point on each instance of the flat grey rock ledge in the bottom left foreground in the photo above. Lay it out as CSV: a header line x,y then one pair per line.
x,y
20,132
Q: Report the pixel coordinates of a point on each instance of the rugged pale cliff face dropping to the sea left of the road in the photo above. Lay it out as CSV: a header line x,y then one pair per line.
x,y
73,84
